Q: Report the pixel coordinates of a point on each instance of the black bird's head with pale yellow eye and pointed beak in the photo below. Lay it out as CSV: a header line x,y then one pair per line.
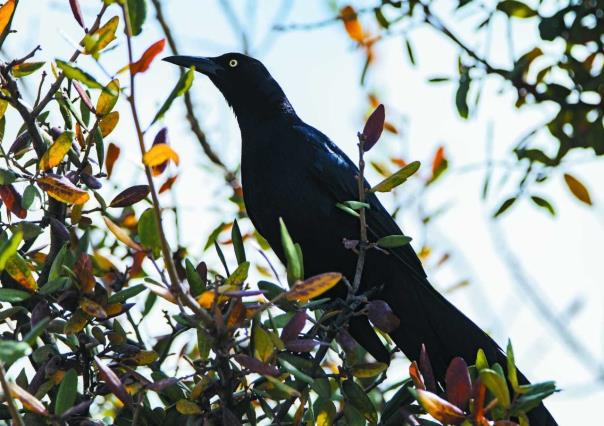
x,y
245,83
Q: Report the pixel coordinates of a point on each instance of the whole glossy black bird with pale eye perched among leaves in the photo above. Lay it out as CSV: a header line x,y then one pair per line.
x,y
293,171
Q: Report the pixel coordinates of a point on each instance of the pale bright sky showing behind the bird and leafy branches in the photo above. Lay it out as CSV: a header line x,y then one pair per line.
x,y
319,71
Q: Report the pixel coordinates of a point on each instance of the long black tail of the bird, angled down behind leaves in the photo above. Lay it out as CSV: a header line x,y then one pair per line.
x,y
428,318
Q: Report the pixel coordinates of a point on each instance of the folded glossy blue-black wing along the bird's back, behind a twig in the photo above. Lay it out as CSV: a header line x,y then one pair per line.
x,y
337,175
